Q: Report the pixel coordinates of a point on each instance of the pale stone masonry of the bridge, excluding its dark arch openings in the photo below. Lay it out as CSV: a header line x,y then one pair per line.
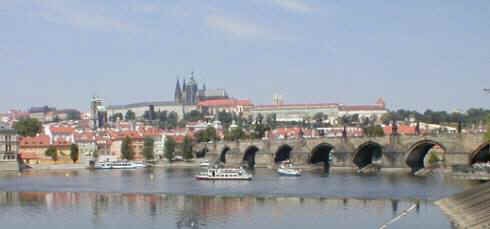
x,y
395,150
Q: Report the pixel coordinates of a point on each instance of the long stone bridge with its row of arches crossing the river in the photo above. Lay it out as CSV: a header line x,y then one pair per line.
x,y
388,152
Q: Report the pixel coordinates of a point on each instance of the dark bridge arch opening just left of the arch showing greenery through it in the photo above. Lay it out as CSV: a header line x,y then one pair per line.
x,y
367,153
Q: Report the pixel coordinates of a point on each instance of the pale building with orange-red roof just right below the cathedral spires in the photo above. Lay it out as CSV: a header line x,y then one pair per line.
x,y
212,107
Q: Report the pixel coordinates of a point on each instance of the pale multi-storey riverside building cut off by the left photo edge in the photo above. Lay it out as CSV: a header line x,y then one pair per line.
x,y
9,148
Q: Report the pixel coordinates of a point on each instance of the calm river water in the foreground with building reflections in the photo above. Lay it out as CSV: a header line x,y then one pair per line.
x,y
172,198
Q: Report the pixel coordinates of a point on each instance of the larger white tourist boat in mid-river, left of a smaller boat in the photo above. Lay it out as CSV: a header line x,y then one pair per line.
x,y
224,174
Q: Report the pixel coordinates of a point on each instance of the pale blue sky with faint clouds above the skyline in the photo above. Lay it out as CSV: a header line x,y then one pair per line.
x,y
416,54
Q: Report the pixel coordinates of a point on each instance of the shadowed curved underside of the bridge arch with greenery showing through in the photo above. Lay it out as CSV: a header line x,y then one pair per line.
x,y
417,152
